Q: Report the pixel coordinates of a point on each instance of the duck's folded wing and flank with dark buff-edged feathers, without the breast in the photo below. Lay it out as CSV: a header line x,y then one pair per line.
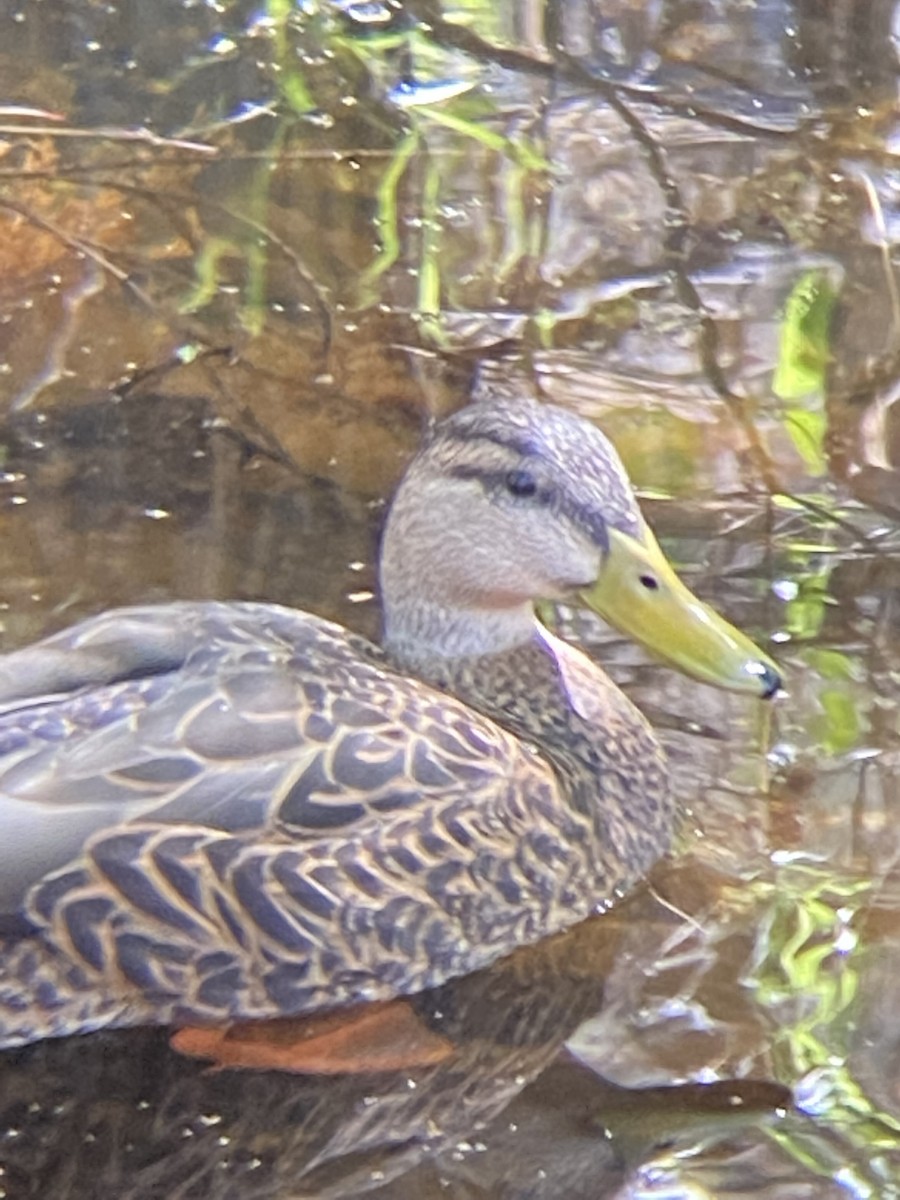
x,y
239,811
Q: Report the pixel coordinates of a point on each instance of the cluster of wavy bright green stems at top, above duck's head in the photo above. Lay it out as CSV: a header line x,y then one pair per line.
x,y
441,125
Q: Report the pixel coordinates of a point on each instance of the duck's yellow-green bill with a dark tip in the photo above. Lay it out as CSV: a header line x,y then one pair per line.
x,y
641,596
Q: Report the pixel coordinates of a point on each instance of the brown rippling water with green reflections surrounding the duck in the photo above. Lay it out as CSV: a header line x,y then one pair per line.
x,y
247,253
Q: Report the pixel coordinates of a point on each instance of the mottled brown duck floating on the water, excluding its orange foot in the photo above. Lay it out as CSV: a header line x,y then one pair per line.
x,y
223,812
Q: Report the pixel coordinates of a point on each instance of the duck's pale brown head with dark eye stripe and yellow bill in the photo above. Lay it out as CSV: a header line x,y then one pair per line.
x,y
514,502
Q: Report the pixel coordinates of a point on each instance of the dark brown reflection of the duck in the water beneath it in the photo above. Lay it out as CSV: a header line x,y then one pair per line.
x,y
116,1114
